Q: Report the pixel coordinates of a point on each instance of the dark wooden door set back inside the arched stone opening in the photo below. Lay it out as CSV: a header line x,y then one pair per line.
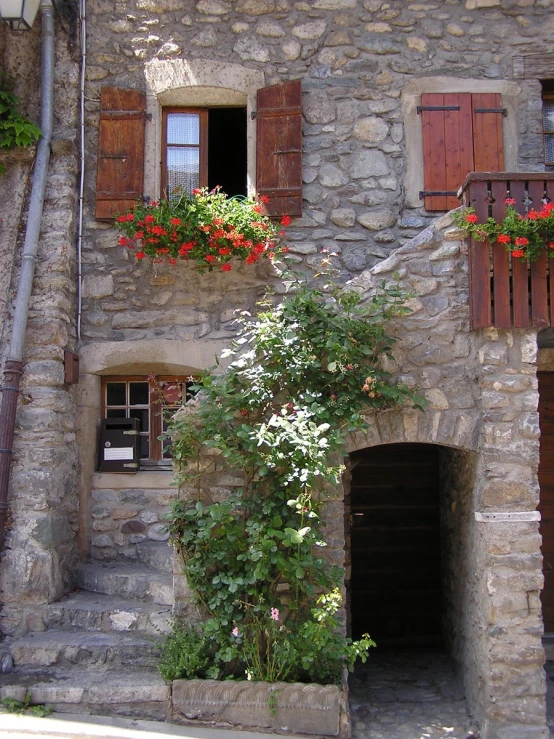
x,y
395,588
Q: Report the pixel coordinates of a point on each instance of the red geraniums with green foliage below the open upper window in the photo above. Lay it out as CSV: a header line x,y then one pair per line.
x,y
206,228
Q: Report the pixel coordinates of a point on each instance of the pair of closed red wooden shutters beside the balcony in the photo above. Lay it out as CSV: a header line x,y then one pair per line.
x,y
462,133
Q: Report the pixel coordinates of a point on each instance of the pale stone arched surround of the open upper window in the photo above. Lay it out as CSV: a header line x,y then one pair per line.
x,y
196,82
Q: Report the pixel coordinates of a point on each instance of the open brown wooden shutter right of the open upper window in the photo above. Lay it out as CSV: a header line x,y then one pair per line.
x,y
279,148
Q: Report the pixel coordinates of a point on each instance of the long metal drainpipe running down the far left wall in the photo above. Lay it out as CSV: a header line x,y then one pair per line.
x,y
14,363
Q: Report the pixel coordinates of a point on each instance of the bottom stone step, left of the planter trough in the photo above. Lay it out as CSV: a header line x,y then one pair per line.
x,y
133,693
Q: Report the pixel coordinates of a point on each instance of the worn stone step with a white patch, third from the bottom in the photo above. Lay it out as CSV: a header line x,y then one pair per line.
x,y
108,613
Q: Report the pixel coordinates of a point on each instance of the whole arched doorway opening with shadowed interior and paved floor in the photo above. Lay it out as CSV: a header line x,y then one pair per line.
x,y
410,508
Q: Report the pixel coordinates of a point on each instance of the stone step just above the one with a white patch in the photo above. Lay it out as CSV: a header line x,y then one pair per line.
x,y
133,580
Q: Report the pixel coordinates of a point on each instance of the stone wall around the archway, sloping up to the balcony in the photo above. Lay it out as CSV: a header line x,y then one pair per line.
x,y
482,393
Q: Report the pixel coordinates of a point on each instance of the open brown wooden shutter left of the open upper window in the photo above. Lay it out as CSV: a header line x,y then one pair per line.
x,y
119,180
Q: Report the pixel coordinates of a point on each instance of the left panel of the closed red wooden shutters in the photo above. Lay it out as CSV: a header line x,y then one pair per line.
x,y
447,146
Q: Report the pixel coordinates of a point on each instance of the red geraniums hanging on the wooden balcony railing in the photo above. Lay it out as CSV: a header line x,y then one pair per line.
x,y
525,237
